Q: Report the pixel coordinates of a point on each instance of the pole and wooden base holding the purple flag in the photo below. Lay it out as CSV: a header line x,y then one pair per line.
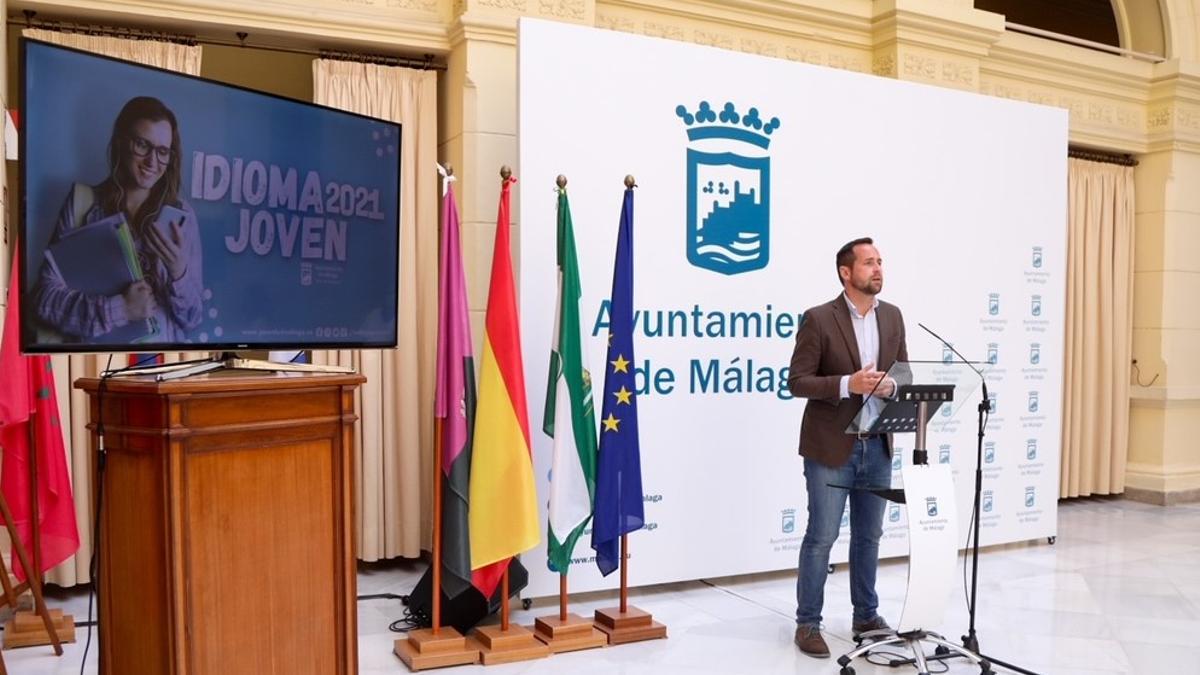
x,y
435,648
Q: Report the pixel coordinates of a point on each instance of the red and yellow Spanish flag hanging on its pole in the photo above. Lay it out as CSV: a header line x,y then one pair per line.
x,y
503,500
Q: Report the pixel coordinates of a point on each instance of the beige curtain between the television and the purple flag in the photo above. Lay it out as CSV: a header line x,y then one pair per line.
x,y
394,437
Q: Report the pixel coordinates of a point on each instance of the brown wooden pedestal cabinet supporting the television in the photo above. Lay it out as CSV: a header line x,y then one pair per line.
x,y
227,534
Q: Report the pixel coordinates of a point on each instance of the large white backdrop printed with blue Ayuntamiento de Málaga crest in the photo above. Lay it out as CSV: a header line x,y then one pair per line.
x,y
965,196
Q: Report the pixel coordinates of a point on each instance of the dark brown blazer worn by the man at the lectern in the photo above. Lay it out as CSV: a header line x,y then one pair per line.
x,y
826,349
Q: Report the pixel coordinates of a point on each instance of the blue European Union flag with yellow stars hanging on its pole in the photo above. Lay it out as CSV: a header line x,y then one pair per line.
x,y
619,497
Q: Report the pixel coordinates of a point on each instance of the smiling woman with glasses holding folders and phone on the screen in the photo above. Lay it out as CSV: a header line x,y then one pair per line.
x,y
87,290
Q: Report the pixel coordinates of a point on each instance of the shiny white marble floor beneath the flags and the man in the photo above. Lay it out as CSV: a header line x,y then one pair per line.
x,y
1119,593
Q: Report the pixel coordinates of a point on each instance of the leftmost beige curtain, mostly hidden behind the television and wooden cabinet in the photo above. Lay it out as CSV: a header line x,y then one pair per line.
x,y
73,403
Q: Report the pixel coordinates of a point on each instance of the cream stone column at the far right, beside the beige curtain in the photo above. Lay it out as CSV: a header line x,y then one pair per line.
x,y
1165,421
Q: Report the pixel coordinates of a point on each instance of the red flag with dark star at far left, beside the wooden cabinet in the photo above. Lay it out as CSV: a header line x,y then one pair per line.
x,y
27,398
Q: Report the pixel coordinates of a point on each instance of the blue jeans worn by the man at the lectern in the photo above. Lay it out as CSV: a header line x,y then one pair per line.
x,y
869,467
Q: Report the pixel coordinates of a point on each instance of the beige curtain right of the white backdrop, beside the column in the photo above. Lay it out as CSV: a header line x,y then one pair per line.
x,y
1100,326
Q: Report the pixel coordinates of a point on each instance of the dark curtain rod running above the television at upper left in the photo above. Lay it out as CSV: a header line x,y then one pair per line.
x,y
427,63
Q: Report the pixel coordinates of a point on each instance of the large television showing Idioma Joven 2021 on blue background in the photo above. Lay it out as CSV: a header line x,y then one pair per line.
x,y
165,213
